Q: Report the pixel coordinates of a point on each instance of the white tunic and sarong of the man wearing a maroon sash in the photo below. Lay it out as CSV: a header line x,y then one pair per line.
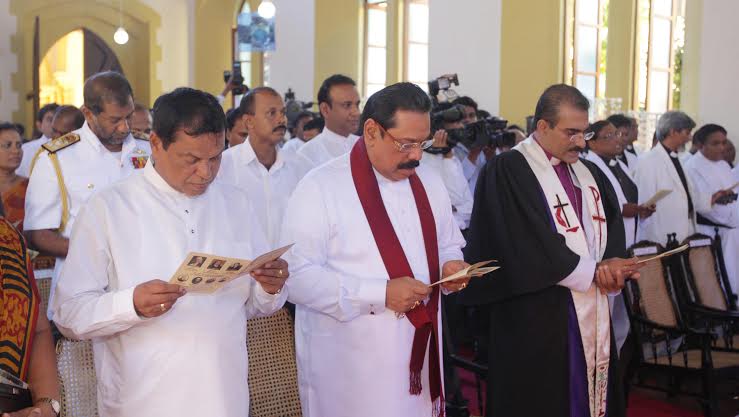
x,y
353,354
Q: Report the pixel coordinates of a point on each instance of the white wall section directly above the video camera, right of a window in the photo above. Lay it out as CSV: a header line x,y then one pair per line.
x,y
464,38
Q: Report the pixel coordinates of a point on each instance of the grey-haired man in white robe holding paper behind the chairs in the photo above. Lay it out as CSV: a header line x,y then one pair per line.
x,y
661,169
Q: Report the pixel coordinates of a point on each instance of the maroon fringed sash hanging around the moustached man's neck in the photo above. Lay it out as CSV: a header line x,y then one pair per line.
x,y
424,317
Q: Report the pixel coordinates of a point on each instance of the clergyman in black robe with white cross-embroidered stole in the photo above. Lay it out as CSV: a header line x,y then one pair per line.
x,y
537,362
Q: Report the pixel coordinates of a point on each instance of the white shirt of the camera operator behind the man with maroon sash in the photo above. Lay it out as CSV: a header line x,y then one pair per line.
x,y
450,171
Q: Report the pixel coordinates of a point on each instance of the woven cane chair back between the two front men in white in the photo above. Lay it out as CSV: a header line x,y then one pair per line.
x,y
273,374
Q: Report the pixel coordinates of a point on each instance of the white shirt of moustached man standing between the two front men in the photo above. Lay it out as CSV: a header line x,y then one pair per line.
x,y
268,190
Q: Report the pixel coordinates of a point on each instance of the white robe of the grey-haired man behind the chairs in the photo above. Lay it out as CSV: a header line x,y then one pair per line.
x,y
656,171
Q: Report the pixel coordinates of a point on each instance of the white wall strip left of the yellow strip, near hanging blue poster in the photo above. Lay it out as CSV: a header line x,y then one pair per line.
x,y
293,62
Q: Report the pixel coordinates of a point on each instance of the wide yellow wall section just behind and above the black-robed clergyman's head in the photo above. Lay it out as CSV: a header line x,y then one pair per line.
x,y
530,56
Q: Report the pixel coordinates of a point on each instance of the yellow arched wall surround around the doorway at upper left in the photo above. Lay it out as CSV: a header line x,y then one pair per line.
x,y
138,57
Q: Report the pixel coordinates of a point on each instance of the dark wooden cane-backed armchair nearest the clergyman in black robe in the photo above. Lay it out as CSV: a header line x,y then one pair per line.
x,y
656,322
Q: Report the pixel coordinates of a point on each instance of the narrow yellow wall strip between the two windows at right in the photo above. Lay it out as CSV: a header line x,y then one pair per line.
x,y
620,55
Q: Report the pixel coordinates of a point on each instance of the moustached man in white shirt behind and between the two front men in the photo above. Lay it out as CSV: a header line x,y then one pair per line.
x,y
258,166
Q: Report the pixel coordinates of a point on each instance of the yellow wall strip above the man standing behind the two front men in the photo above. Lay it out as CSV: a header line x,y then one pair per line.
x,y
339,40
